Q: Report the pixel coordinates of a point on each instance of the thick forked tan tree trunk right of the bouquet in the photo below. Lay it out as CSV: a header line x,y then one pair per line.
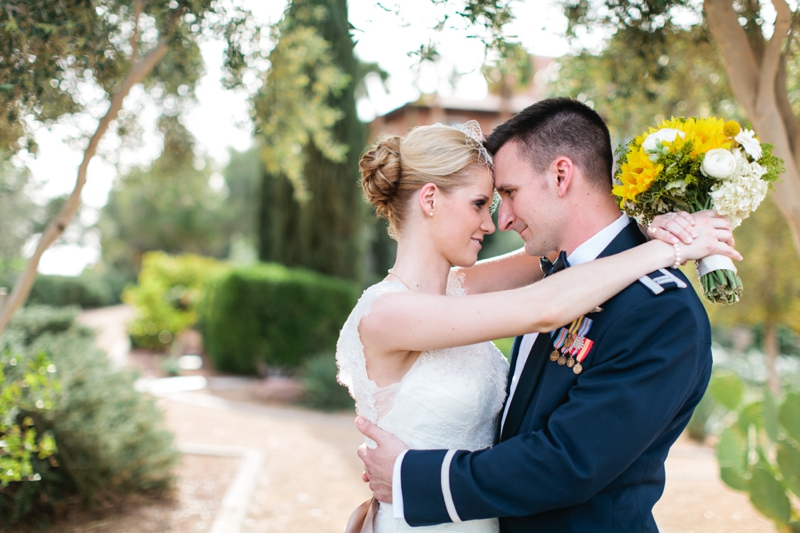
x,y
754,83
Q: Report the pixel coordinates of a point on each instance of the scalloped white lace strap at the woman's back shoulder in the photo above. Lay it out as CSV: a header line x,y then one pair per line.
x,y
350,353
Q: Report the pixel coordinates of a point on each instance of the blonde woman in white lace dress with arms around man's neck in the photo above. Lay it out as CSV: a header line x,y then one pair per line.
x,y
414,352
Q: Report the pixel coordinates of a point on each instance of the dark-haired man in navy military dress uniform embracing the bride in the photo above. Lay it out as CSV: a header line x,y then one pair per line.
x,y
581,446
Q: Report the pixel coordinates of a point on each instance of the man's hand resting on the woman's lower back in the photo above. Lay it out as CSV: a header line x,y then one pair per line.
x,y
379,462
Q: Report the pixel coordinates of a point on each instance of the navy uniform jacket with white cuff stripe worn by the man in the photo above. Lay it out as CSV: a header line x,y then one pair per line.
x,y
582,452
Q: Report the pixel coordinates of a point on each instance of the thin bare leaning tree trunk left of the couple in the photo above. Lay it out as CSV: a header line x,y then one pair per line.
x,y
23,285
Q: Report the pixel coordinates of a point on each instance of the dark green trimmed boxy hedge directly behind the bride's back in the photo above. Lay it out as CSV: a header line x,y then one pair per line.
x,y
275,315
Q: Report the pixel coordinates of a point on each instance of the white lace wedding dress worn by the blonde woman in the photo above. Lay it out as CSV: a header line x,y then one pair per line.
x,y
449,399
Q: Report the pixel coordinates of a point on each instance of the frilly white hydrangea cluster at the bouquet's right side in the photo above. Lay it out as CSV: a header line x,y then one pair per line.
x,y
742,193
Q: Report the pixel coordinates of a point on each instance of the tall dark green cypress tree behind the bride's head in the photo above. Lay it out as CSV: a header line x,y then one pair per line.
x,y
324,230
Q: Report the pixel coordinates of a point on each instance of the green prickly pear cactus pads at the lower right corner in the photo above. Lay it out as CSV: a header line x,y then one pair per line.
x,y
759,449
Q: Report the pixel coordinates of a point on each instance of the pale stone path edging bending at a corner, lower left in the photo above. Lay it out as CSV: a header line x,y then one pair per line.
x,y
236,501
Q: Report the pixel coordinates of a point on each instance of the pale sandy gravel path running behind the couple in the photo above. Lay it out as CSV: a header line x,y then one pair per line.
x,y
311,479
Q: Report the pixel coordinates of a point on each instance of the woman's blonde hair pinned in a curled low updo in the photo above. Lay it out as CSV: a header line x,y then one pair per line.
x,y
397,166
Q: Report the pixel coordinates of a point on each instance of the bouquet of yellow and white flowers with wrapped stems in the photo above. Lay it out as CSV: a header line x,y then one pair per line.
x,y
692,164
